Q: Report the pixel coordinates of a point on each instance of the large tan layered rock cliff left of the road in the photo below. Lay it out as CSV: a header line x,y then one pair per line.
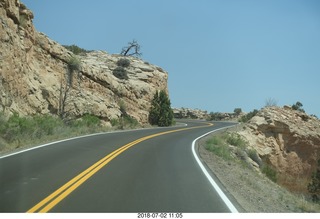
x,y
33,71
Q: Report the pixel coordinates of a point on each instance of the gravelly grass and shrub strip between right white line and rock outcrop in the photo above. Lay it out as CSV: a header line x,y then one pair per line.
x,y
260,195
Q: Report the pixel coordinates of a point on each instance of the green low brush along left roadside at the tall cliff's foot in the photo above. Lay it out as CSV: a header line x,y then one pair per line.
x,y
17,131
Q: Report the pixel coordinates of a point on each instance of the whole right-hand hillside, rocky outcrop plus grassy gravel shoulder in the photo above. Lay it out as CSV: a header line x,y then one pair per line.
x,y
266,164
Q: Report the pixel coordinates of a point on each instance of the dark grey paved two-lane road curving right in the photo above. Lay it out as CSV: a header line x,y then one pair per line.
x,y
152,170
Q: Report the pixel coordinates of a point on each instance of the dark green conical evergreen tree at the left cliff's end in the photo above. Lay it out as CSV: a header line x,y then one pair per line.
x,y
160,112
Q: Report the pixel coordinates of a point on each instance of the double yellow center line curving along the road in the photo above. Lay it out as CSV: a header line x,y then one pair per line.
x,y
53,199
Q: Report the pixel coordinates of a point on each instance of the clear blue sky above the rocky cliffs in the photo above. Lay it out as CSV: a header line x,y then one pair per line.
x,y
220,55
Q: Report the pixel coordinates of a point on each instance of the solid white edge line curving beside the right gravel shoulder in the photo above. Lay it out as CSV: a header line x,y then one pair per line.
x,y
213,183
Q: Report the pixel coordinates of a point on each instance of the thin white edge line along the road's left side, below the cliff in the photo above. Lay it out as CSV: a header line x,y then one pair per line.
x,y
73,138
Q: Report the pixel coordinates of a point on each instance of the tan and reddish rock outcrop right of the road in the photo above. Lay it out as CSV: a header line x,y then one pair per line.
x,y
288,140
